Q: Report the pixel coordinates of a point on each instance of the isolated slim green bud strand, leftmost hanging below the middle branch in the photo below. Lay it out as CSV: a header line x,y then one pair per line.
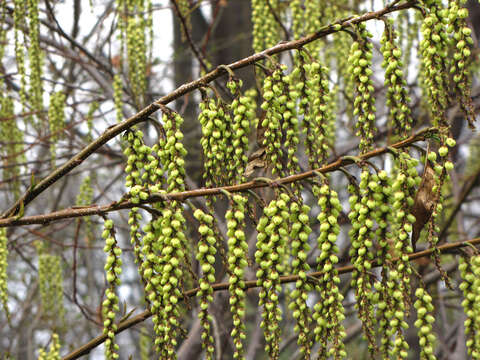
x,y
113,269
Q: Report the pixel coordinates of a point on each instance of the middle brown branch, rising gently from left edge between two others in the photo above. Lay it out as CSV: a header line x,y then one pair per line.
x,y
181,196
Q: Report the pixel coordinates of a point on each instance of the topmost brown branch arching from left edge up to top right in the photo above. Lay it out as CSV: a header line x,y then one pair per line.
x,y
143,115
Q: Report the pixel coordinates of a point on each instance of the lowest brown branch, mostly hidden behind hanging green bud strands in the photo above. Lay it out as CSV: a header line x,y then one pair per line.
x,y
86,348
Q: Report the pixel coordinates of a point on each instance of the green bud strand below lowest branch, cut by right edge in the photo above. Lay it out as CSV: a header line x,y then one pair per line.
x,y
470,273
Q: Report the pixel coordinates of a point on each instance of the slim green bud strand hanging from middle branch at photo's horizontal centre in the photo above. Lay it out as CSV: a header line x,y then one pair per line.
x,y
237,262
